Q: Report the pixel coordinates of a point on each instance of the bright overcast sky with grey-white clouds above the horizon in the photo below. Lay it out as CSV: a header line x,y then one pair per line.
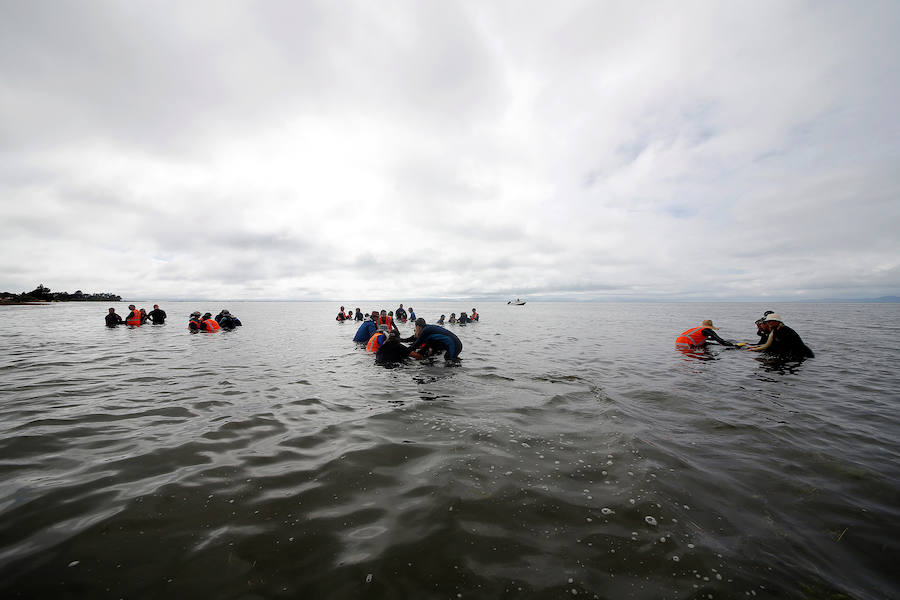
x,y
437,149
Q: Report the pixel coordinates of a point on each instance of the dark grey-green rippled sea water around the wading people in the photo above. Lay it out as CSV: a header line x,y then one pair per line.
x,y
573,452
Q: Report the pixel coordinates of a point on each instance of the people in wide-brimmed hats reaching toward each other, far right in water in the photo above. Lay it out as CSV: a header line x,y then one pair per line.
x,y
774,338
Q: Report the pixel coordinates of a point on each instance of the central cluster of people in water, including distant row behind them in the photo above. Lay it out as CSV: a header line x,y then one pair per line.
x,y
380,335
